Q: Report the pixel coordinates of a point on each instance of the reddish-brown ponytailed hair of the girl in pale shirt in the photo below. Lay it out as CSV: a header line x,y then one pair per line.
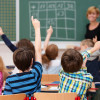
x,y
50,54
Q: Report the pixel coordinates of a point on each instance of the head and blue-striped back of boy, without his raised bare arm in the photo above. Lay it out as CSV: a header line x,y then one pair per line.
x,y
27,81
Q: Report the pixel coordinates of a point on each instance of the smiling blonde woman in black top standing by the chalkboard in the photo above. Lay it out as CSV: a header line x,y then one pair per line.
x,y
93,28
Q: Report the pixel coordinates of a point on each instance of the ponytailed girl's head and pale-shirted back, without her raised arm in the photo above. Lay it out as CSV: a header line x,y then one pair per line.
x,y
51,65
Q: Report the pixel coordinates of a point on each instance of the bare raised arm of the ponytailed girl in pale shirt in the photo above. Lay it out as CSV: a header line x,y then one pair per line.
x,y
49,33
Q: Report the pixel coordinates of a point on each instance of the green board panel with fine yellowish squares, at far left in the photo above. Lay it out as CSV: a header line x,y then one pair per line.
x,y
8,18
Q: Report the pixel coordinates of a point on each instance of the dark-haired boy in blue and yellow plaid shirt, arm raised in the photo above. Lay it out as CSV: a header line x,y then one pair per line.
x,y
74,76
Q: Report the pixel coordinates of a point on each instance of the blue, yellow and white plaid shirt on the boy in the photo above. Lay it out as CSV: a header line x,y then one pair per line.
x,y
77,82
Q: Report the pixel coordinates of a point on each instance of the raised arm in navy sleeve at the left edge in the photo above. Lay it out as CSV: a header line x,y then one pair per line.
x,y
7,41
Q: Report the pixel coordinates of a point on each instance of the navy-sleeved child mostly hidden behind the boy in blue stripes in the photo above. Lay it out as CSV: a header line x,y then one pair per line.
x,y
22,43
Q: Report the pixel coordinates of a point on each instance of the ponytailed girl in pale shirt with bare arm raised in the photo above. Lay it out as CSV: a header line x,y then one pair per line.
x,y
51,65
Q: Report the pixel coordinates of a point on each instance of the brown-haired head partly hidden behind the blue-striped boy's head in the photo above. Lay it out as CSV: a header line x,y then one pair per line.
x,y
25,43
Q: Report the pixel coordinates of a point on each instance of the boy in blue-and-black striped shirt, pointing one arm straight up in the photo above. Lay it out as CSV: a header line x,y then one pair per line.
x,y
26,81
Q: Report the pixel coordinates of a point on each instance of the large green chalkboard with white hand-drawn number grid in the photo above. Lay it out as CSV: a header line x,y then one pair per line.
x,y
68,18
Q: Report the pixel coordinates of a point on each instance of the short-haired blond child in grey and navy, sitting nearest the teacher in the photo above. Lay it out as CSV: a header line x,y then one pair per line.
x,y
93,65
